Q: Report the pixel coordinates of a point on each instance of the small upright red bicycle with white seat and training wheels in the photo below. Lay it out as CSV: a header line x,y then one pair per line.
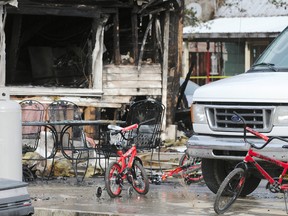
x,y
128,166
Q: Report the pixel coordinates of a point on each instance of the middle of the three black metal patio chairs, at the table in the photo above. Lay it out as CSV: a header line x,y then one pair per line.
x,y
71,139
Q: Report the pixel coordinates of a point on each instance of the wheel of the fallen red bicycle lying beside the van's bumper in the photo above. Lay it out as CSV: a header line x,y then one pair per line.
x,y
194,172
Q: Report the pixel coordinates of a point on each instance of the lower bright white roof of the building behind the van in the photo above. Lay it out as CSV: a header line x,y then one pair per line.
x,y
237,27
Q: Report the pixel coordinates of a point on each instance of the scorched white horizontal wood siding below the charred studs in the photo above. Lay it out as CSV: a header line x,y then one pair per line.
x,y
124,80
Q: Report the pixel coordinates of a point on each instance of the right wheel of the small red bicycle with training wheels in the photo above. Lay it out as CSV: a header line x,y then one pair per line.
x,y
140,181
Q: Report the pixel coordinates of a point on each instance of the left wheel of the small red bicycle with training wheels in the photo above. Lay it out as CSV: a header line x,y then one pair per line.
x,y
113,179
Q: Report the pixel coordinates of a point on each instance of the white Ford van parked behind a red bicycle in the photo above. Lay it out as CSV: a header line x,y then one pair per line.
x,y
260,95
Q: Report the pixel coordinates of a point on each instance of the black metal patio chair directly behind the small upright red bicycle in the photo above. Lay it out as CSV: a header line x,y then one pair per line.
x,y
149,115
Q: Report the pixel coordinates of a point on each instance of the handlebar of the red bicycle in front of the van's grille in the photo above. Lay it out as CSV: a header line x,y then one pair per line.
x,y
256,133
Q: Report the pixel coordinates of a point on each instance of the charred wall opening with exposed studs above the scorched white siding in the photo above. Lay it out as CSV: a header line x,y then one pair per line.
x,y
146,34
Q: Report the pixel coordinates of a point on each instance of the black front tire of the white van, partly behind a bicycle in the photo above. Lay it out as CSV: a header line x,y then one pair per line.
x,y
215,171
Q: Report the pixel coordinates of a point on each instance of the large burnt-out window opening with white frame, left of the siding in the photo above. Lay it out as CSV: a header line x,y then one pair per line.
x,y
47,50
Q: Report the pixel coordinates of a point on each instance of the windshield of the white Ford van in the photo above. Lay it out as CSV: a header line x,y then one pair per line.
x,y
275,57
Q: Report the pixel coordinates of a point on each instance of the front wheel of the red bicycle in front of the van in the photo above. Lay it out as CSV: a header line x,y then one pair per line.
x,y
229,190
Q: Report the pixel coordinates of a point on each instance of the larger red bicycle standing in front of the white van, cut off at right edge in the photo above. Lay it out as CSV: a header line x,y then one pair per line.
x,y
233,184
